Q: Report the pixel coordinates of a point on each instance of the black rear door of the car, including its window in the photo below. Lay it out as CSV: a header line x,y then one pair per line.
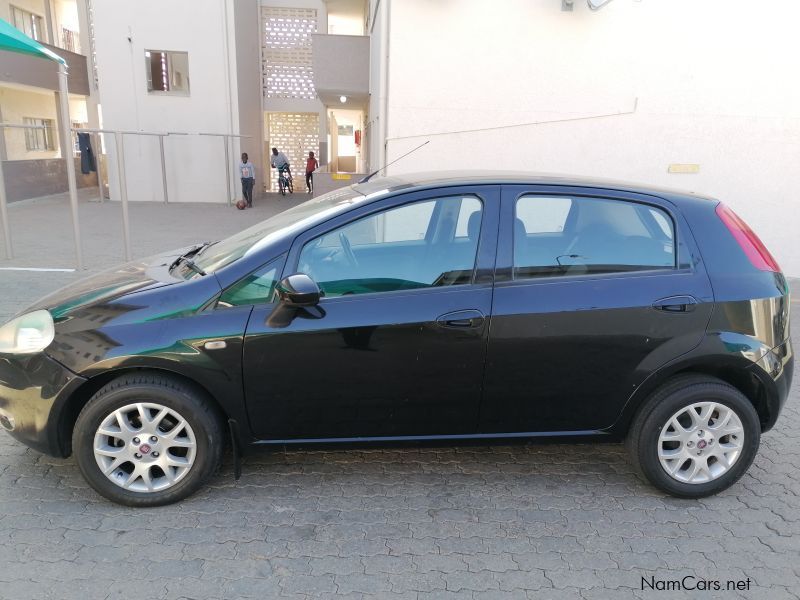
x,y
595,290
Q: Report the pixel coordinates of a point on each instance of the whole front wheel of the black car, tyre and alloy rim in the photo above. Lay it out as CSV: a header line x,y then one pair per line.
x,y
147,440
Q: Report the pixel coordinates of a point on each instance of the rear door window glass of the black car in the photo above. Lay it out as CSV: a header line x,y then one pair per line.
x,y
573,236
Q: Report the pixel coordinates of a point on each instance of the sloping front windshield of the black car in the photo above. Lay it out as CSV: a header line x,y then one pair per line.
x,y
316,210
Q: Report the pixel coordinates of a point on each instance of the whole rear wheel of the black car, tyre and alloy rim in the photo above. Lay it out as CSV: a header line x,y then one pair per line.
x,y
694,437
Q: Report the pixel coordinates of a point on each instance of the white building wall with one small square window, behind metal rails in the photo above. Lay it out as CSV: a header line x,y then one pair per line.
x,y
195,165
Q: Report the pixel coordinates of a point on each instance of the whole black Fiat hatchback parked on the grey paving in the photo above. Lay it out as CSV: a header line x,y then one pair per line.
x,y
451,307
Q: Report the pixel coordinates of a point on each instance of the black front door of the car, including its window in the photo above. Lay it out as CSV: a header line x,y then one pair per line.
x,y
396,347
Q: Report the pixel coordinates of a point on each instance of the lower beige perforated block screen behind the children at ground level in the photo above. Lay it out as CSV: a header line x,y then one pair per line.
x,y
294,134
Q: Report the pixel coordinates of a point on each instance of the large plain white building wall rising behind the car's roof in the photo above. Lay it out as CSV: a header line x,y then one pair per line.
x,y
713,83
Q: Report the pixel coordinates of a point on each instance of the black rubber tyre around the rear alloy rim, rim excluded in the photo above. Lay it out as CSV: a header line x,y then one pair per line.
x,y
683,391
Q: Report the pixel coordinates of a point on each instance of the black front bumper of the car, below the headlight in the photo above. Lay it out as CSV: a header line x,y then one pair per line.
x,y
32,391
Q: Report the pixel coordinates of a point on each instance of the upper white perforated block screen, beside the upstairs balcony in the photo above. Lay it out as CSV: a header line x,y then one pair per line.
x,y
287,69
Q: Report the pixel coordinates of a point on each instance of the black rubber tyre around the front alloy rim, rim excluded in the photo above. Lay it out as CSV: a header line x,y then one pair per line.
x,y
205,423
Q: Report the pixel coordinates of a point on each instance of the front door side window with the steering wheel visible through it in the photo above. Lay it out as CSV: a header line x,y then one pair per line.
x,y
408,247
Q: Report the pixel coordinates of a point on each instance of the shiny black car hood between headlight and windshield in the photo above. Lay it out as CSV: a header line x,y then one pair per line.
x,y
148,273
